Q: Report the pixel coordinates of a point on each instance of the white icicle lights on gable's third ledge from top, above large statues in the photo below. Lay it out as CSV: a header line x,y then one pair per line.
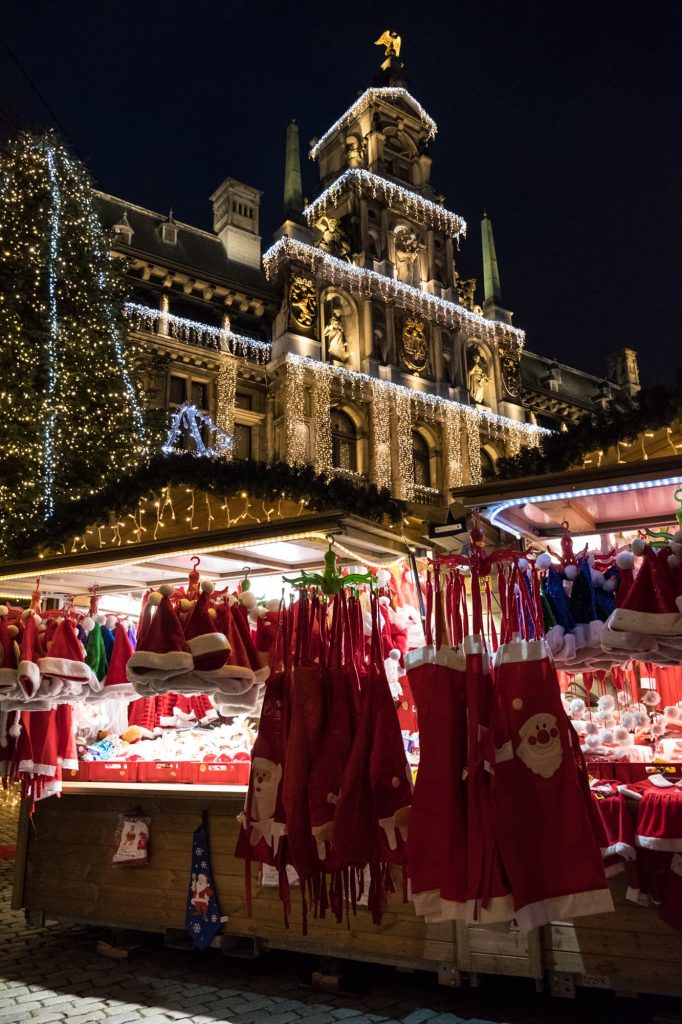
x,y
372,285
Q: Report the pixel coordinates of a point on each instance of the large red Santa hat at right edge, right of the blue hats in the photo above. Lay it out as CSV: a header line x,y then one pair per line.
x,y
651,606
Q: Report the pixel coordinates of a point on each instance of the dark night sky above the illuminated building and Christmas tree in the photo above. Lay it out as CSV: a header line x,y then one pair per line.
x,y
563,120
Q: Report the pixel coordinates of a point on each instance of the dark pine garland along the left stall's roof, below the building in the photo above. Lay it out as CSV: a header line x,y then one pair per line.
x,y
225,480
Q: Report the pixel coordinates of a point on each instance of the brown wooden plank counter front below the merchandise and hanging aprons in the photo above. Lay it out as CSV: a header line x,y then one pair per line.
x,y
65,872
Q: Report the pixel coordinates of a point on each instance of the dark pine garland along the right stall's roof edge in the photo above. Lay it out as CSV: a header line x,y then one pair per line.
x,y
625,421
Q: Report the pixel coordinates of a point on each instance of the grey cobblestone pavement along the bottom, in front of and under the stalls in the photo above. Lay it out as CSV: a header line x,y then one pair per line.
x,y
55,974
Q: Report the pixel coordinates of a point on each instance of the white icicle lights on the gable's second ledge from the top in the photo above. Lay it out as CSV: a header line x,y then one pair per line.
x,y
364,184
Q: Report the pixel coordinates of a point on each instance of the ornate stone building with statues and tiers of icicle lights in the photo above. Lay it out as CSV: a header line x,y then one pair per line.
x,y
356,345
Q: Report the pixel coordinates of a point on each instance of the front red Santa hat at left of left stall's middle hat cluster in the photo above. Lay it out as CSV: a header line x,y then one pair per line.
x,y
162,652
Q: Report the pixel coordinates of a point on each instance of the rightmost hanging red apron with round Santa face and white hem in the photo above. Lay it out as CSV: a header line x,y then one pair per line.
x,y
542,817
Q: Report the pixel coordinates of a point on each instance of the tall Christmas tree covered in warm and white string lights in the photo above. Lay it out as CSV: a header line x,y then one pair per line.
x,y
72,420
